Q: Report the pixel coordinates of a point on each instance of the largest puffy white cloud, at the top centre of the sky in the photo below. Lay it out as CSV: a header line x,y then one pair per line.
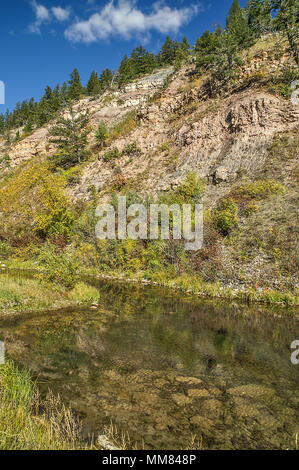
x,y
124,19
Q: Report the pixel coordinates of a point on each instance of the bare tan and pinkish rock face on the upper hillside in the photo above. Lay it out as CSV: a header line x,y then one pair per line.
x,y
178,130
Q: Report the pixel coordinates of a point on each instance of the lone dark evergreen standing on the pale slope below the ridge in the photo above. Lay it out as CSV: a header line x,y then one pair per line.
x,y
70,135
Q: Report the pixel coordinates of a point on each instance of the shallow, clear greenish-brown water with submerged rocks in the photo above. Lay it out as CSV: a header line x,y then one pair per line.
x,y
168,369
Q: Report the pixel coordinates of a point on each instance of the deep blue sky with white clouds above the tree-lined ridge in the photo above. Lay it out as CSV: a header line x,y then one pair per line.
x,y
42,41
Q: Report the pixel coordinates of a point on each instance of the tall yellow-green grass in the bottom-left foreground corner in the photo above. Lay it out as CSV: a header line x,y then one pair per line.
x,y
27,422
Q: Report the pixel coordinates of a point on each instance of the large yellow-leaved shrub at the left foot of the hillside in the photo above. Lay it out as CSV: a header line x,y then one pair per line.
x,y
33,202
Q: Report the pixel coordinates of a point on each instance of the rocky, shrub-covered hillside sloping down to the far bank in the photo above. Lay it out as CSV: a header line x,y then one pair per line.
x,y
239,142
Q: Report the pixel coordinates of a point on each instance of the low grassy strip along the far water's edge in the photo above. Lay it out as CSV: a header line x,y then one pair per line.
x,y
23,295
